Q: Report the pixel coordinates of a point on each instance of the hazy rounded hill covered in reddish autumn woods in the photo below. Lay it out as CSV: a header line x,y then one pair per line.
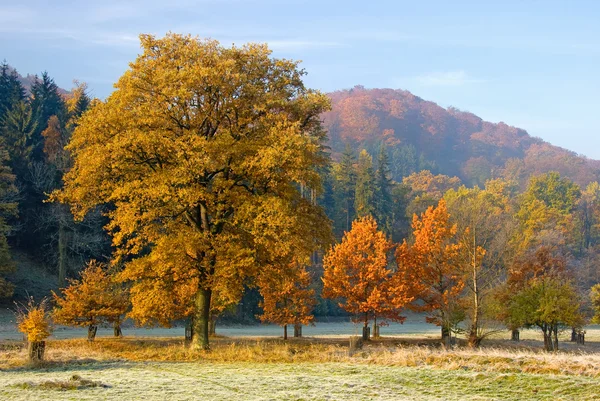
x,y
421,134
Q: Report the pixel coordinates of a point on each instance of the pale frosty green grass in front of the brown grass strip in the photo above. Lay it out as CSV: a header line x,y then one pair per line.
x,y
278,381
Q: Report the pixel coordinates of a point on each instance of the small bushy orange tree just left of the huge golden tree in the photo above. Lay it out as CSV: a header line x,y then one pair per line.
x,y
91,301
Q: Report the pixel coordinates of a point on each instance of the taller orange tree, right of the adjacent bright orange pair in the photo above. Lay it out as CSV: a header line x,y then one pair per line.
x,y
430,268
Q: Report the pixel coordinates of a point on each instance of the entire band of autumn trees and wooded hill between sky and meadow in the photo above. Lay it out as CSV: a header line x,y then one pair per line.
x,y
213,187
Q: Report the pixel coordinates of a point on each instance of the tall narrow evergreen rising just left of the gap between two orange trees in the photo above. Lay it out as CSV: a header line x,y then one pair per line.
x,y
383,192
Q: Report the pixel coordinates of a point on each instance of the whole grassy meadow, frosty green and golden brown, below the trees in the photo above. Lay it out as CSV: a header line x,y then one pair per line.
x,y
253,363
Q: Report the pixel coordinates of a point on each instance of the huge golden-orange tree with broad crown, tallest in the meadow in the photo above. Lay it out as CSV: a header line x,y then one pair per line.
x,y
200,151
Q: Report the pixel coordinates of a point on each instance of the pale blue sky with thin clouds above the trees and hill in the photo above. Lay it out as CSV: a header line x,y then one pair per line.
x,y
531,64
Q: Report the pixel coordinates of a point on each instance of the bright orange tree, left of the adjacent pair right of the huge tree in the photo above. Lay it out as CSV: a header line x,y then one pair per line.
x,y
356,271
